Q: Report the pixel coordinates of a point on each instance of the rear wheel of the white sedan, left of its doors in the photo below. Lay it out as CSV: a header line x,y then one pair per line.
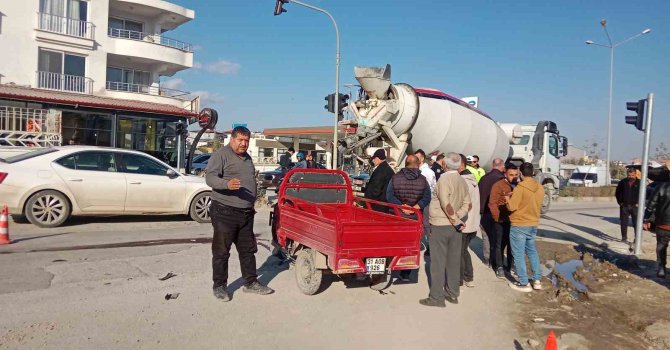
x,y
47,209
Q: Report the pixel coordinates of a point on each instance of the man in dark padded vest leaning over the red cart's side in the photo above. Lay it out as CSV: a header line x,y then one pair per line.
x,y
410,189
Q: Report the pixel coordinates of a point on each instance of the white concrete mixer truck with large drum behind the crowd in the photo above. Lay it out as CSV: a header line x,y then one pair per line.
x,y
401,119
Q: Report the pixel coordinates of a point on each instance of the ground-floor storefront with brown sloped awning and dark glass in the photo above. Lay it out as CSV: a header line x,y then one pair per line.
x,y
98,121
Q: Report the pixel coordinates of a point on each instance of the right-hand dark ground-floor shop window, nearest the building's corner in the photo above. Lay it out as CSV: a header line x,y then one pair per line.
x,y
153,136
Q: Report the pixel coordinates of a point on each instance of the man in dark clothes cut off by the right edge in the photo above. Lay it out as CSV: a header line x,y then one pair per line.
x,y
658,214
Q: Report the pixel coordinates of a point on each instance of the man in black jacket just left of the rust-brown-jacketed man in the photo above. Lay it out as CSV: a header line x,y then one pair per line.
x,y
487,223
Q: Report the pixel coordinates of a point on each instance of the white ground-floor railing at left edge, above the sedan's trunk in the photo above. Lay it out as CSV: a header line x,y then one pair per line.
x,y
28,127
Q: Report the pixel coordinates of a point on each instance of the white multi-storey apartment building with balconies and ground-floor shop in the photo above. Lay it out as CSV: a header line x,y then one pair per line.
x,y
89,72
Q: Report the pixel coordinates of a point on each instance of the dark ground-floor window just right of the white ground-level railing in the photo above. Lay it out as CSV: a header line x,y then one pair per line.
x,y
87,129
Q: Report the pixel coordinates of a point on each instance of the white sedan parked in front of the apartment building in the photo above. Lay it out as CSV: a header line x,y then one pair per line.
x,y
49,185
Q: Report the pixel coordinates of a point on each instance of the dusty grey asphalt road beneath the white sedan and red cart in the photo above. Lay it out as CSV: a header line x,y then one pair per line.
x,y
95,284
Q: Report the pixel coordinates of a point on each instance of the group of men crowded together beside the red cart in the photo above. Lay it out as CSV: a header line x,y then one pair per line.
x,y
457,198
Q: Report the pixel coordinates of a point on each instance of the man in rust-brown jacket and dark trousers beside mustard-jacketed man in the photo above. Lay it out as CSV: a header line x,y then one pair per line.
x,y
500,215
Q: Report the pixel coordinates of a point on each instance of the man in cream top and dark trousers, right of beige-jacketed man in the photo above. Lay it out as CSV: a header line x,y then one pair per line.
x,y
471,225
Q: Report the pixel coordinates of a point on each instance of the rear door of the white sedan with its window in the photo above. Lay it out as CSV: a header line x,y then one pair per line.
x,y
94,181
